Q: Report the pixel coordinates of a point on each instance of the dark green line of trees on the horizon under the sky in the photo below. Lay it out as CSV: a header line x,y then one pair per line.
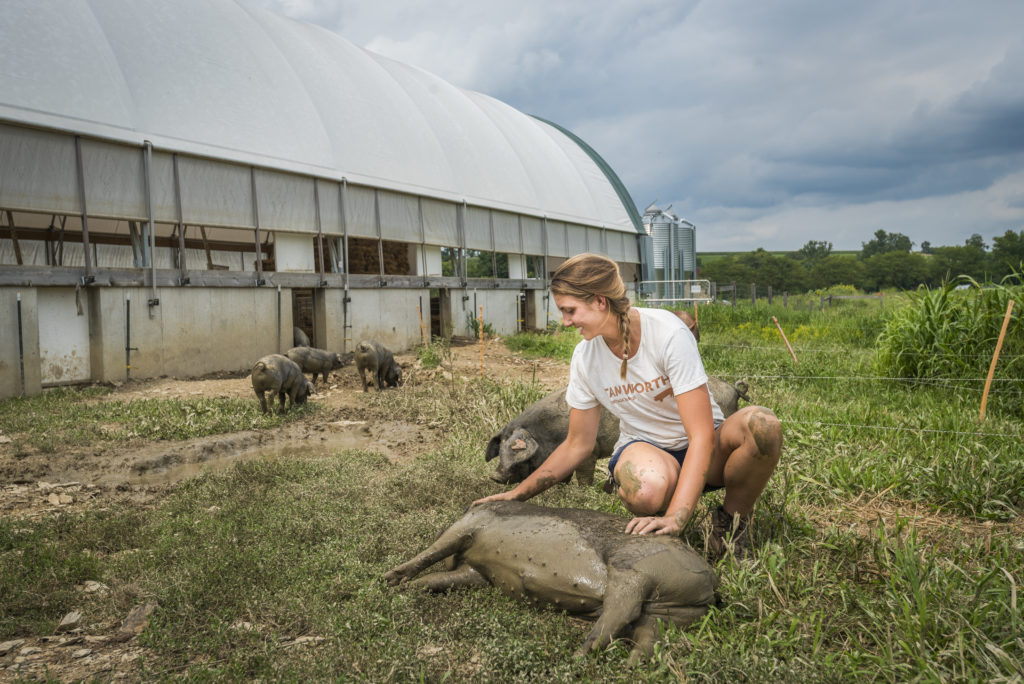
x,y
886,262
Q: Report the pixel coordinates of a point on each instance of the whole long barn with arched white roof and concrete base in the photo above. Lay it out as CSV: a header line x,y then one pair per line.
x,y
182,184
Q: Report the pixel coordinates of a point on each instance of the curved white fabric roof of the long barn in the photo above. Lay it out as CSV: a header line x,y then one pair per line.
x,y
229,80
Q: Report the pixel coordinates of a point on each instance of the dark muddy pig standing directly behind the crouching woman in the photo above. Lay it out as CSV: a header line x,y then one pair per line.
x,y
530,439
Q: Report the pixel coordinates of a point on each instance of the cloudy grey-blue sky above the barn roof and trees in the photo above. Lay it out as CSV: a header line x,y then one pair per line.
x,y
766,124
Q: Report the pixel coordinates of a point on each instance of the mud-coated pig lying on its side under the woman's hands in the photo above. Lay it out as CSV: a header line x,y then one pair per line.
x,y
577,561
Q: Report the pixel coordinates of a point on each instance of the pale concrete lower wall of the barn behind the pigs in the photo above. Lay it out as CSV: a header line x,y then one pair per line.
x,y
197,331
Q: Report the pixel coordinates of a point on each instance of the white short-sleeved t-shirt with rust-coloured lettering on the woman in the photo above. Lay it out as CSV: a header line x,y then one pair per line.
x,y
666,365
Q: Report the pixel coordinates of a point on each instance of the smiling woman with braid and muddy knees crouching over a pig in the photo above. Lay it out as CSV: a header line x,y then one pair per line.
x,y
644,366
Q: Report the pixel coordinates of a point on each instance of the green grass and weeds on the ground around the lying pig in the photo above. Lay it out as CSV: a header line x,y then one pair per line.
x,y
847,586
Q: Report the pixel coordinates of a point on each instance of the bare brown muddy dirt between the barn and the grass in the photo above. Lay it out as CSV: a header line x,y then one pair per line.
x,y
37,484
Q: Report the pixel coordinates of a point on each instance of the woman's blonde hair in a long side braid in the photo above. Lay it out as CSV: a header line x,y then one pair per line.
x,y
589,276
